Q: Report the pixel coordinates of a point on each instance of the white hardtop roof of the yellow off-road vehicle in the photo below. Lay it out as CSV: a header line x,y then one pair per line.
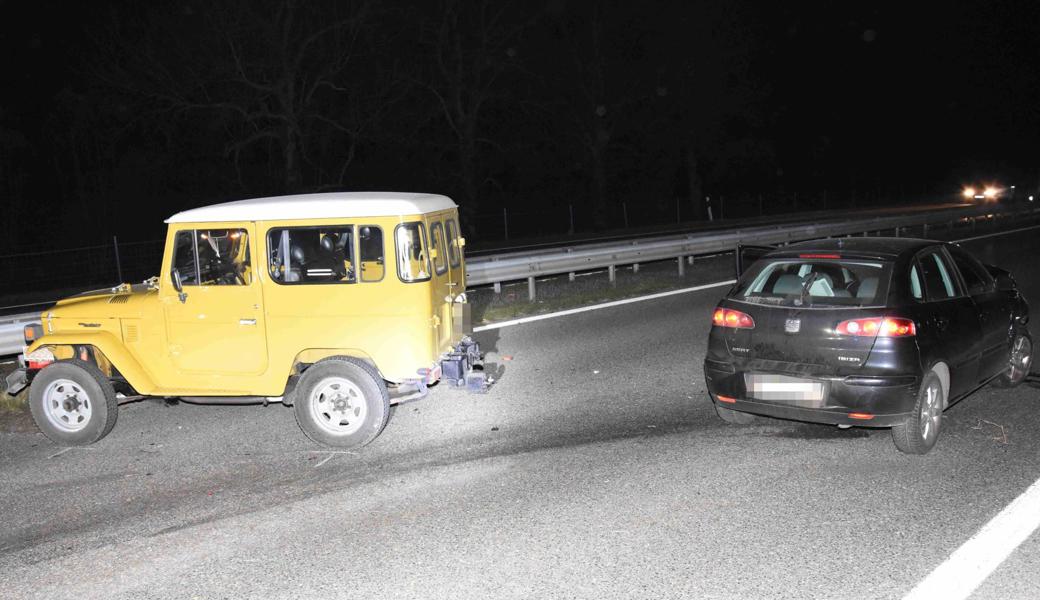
x,y
342,204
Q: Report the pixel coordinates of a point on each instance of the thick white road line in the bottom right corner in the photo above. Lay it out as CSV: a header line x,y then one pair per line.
x,y
970,566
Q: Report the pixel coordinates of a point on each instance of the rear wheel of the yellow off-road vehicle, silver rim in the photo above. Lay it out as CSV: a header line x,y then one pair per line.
x,y
342,402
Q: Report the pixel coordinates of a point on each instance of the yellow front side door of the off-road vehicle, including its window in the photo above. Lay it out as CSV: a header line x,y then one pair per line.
x,y
217,324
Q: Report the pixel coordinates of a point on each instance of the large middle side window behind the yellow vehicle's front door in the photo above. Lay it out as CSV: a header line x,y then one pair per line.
x,y
311,255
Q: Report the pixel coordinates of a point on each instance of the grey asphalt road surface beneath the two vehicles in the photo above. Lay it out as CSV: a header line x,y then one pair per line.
x,y
595,468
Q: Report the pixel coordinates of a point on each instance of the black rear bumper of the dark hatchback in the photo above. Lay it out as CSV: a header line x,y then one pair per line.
x,y
888,400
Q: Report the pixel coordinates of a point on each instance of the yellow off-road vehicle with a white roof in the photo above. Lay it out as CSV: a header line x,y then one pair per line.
x,y
337,304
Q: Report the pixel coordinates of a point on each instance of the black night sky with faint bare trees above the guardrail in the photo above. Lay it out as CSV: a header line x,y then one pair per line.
x,y
117,115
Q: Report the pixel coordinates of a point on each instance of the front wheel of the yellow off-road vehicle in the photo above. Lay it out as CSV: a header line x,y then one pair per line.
x,y
73,403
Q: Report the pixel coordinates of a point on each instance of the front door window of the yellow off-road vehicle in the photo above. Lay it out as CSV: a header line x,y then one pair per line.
x,y
214,257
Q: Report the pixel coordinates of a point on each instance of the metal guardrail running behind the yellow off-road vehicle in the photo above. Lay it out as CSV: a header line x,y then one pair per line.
x,y
500,269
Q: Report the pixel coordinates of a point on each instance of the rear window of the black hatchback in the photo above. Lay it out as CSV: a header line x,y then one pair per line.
x,y
815,282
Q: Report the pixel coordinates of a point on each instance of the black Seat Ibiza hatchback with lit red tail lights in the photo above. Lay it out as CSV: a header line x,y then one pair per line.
x,y
871,332
